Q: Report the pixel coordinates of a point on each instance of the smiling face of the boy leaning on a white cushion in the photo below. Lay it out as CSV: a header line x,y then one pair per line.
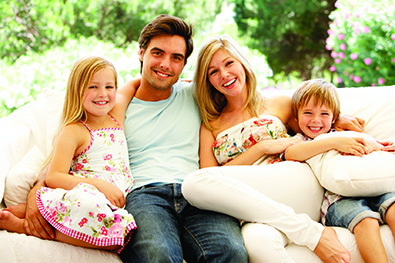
x,y
315,118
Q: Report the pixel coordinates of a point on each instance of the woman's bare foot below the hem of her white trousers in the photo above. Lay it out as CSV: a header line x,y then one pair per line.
x,y
329,248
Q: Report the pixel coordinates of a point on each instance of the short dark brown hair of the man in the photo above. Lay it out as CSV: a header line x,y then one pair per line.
x,y
167,25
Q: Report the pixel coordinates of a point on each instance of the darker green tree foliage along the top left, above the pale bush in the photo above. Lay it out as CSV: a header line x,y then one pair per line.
x,y
38,25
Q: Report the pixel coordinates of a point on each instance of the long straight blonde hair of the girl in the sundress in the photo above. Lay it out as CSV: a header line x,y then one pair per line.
x,y
80,76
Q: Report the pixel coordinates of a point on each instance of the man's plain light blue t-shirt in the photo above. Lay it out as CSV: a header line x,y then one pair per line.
x,y
163,137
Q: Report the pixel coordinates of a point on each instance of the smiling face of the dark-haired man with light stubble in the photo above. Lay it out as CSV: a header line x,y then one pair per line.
x,y
163,61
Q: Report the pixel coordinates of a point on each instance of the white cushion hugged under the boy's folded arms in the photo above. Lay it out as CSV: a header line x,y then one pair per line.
x,y
347,175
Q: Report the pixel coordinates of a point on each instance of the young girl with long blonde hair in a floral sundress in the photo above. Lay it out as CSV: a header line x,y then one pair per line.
x,y
89,173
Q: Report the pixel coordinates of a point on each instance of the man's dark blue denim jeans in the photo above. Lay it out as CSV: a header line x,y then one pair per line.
x,y
170,229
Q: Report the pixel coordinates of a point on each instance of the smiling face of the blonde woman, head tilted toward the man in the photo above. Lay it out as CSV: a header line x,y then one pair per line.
x,y
226,73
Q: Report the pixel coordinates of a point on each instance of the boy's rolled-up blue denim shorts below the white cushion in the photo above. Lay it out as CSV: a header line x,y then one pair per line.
x,y
349,211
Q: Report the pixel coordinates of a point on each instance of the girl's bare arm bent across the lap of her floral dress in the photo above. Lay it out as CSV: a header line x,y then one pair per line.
x,y
71,141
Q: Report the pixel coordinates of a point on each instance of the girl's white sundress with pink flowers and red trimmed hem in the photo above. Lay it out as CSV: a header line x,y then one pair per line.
x,y
84,212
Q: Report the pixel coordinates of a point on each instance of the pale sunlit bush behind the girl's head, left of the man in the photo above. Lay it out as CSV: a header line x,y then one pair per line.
x,y
21,82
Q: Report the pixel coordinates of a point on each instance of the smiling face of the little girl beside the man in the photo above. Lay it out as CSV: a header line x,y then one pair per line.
x,y
99,97
